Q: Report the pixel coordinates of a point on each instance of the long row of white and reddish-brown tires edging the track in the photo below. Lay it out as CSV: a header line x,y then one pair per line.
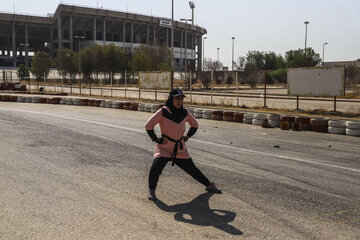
x,y
351,128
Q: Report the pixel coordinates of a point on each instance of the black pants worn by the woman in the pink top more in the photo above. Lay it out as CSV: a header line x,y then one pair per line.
x,y
185,164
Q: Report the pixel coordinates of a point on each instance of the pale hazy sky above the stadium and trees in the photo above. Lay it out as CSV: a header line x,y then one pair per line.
x,y
264,25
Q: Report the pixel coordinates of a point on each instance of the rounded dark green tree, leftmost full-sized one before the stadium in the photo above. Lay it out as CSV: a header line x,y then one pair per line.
x,y
41,63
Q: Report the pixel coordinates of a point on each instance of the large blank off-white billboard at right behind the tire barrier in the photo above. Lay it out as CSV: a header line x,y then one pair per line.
x,y
316,81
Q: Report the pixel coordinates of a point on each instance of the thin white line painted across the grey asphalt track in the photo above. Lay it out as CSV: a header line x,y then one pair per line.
x,y
194,140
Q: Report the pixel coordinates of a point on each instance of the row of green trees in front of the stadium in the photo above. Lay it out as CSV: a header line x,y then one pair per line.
x,y
98,59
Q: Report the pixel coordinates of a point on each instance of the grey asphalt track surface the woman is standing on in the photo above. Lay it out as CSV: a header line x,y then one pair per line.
x,y
72,172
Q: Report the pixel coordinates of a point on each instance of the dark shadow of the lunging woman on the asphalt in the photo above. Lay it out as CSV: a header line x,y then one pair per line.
x,y
198,212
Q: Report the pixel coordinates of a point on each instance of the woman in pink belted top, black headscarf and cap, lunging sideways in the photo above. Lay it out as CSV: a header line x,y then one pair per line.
x,y
171,145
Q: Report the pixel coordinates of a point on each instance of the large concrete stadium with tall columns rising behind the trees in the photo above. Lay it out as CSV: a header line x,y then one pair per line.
x,y
21,34
